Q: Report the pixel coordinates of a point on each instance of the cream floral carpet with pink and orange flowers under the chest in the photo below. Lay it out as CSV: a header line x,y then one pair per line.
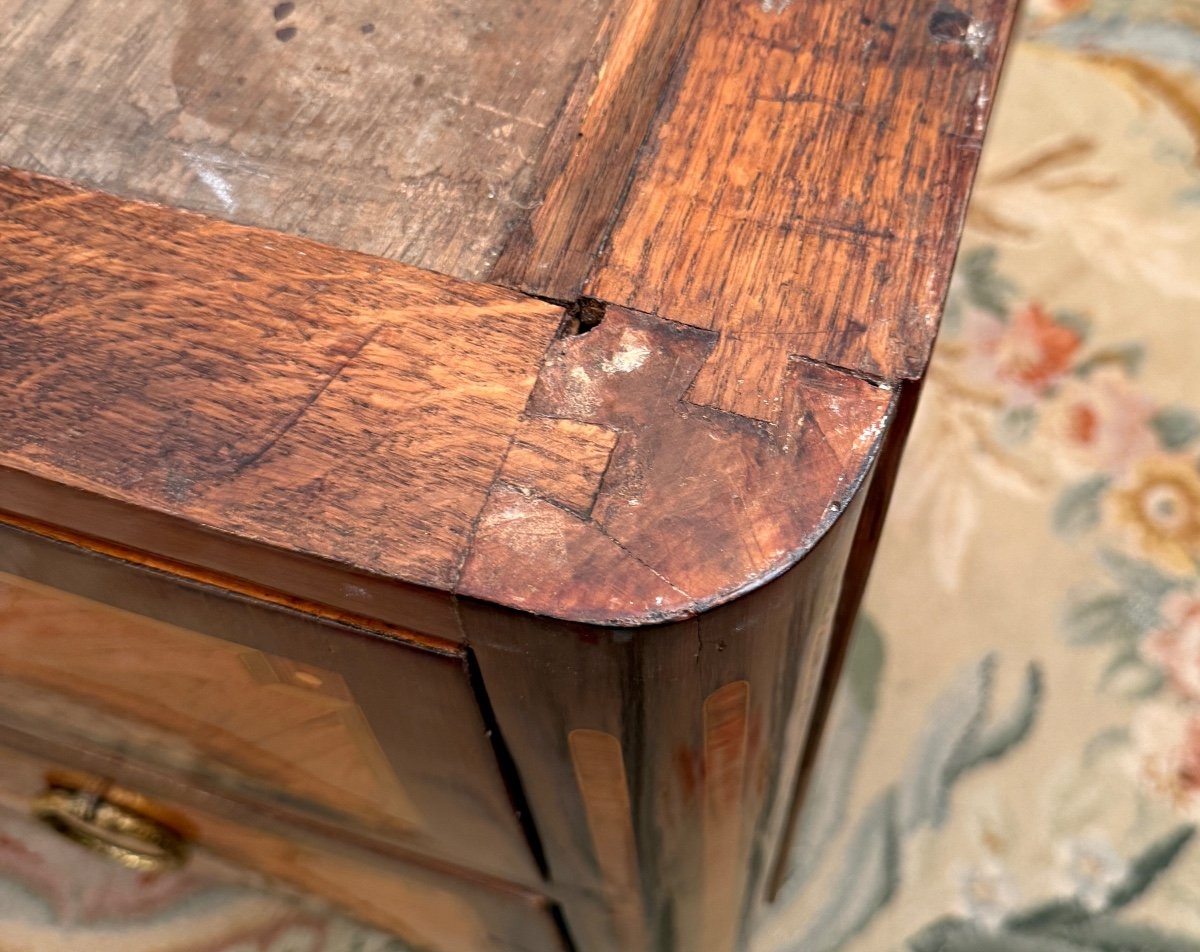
x,y
1015,761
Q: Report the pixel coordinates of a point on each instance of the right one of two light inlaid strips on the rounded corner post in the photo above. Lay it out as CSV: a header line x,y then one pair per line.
x,y
727,732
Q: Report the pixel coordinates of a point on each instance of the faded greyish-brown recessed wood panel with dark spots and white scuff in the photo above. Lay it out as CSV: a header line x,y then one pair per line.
x,y
410,130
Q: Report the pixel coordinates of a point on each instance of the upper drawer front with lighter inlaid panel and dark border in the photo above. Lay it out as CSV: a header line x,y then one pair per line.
x,y
283,708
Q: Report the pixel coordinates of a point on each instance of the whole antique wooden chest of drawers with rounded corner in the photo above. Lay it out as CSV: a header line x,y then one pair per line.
x,y
442,448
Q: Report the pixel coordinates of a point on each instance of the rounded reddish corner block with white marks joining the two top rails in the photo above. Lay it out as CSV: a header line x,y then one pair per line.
x,y
623,504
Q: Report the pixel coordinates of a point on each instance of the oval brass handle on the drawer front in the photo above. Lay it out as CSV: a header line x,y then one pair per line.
x,y
111,830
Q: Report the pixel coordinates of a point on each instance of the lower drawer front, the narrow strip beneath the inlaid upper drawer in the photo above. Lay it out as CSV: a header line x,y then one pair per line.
x,y
427,908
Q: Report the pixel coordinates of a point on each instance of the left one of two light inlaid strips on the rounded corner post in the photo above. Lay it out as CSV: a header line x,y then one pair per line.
x,y
601,775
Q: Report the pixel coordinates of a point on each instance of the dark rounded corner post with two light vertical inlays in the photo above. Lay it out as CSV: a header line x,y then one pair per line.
x,y
657,761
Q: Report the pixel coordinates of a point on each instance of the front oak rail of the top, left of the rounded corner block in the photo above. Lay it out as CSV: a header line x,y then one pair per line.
x,y
254,385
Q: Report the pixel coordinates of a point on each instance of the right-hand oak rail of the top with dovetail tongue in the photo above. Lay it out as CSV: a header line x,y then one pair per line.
x,y
806,184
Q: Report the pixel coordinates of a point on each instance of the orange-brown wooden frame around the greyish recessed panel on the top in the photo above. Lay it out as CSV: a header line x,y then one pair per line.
x,y
771,238
